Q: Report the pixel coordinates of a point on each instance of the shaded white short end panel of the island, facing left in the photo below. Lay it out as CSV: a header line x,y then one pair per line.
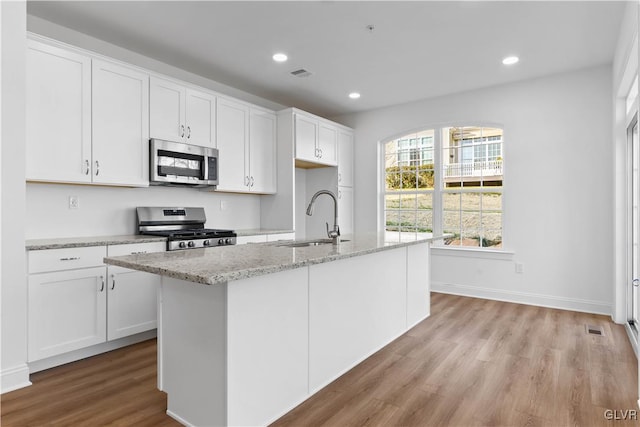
x,y
194,351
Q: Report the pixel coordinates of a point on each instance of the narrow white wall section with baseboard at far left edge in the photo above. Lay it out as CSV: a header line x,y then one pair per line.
x,y
14,372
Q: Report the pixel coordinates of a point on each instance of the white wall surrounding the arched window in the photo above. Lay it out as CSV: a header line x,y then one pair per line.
x,y
558,177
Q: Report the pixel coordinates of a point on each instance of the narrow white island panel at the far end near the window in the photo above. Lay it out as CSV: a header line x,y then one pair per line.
x,y
418,283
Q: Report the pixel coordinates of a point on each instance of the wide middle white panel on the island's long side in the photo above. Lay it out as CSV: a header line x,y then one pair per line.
x,y
356,306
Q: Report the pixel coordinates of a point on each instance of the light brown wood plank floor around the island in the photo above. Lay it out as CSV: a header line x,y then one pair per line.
x,y
474,362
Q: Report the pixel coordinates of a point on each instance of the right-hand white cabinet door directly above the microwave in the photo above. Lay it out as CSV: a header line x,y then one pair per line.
x,y
201,118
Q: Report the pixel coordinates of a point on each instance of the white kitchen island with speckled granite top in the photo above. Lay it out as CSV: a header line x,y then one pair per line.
x,y
248,332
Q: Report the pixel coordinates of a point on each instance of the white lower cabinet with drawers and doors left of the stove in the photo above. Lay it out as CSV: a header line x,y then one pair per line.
x,y
75,301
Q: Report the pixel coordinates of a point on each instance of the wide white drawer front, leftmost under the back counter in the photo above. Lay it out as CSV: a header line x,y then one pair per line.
x,y
66,259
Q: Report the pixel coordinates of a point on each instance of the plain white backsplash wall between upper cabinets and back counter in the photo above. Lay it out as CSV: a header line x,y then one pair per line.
x,y
111,210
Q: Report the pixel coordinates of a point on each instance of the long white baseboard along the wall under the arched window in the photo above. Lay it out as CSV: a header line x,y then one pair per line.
x,y
563,303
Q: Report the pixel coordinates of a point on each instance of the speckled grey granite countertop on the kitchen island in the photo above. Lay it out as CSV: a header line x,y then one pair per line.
x,y
212,266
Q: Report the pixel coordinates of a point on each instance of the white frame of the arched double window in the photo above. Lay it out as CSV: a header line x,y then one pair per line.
x,y
439,190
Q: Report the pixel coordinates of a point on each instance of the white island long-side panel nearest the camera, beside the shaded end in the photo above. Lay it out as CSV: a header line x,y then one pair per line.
x,y
268,347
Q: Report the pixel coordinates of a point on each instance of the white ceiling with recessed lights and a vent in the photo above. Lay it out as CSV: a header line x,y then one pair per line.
x,y
418,49
